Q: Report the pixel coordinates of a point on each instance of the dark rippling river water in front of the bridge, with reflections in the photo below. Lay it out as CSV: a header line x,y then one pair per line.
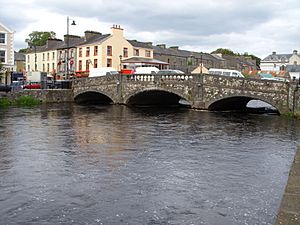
x,y
119,165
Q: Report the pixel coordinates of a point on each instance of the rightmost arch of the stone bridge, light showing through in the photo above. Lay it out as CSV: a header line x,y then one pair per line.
x,y
237,103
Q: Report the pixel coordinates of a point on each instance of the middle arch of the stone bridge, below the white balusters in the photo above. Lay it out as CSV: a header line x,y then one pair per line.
x,y
154,96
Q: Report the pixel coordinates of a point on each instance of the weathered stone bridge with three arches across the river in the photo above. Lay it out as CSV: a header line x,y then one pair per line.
x,y
201,91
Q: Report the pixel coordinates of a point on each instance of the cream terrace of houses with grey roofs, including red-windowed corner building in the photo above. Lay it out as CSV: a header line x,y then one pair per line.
x,y
76,55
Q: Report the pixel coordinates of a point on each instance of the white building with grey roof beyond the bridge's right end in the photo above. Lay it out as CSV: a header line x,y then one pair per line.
x,y
279,62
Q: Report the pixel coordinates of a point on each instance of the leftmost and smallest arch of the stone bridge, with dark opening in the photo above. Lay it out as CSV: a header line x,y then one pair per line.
x,y
92,97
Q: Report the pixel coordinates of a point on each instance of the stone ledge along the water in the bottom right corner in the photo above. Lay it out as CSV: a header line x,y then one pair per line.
x,y
289,212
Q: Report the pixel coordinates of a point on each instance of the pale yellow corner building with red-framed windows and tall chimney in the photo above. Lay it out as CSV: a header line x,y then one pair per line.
x,y
108,50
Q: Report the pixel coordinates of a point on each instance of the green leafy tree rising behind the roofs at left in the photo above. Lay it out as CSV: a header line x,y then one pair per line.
x,y
39,38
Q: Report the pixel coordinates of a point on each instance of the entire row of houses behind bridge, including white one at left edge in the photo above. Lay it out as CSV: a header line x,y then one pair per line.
x,y
75,55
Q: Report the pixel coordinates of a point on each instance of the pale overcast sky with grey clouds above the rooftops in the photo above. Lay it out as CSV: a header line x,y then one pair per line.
x,y
257,27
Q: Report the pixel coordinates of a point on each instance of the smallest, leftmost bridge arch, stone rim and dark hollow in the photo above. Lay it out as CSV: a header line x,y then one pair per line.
x,y
93,95
